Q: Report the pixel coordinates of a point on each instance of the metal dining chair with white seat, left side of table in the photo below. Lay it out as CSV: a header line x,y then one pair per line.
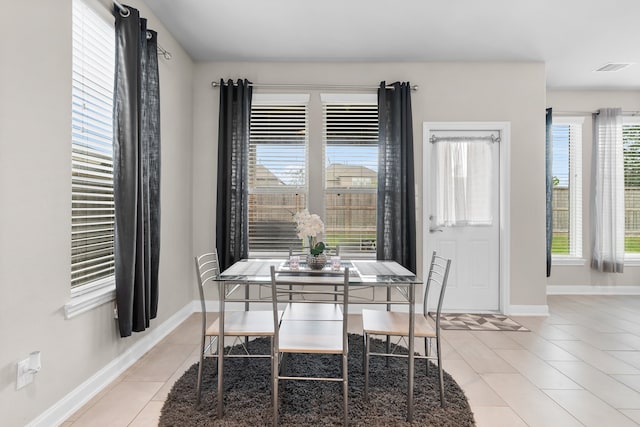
x,y
237,324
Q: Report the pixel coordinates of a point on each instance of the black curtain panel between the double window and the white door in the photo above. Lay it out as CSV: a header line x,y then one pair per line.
x,y
396,226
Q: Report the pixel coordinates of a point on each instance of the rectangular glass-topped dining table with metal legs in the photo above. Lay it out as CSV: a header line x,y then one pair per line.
x,y
362,273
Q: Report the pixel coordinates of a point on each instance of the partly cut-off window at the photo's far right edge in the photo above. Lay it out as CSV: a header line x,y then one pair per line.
x,y
631,147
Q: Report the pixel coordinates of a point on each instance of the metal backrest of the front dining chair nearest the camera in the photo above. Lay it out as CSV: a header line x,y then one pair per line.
x,y
283,289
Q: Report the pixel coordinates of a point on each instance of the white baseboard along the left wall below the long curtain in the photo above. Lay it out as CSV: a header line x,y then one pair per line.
x,y
73,401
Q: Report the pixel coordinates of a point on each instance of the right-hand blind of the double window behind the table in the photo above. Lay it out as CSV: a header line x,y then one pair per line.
x,y
350,135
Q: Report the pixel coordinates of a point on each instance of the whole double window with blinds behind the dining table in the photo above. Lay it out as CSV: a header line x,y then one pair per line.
x,y
284,172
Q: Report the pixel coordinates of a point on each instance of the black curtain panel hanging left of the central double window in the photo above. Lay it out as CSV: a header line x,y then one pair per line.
x,y
232,223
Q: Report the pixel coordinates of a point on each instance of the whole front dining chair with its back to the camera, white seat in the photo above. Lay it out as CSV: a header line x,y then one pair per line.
x,y
306,334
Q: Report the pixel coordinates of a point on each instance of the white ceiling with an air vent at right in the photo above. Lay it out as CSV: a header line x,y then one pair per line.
x,y
573,37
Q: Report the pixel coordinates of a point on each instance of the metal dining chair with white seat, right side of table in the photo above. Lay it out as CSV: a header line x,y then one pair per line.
x,y
396,324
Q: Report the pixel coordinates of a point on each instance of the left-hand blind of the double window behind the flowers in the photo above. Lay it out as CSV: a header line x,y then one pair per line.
x,y
277,171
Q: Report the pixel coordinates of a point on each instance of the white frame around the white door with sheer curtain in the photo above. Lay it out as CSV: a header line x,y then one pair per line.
x,y
505,201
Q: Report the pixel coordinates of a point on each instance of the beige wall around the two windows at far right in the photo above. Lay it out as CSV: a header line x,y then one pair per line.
x,y
564,102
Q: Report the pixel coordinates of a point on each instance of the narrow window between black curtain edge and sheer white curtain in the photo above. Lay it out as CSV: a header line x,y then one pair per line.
x,y
567,187
